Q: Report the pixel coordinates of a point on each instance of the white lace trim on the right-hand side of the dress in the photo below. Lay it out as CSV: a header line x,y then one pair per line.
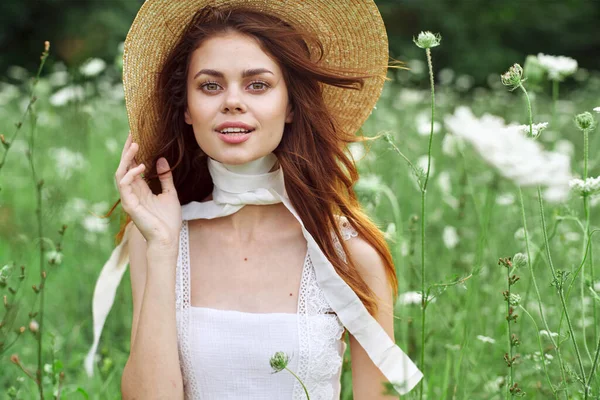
x,y
319,331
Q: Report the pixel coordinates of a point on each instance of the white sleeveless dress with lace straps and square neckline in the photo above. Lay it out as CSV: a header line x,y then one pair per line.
x,y
225,354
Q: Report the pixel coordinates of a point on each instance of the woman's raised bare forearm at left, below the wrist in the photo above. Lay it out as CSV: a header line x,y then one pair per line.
x,y
152,370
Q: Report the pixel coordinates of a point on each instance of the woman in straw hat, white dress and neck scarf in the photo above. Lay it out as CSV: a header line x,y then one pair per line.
x,y
245,236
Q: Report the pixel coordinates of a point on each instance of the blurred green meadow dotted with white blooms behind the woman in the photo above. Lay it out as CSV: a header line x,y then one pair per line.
x,y
473,219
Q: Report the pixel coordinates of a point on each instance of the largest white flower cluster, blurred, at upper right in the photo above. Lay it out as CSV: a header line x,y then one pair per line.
x,y
515,156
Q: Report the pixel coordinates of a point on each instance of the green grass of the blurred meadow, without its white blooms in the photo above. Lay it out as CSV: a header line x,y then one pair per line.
x,y
457,364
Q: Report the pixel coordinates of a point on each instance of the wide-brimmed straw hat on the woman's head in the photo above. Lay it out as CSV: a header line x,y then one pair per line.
x,y
351,31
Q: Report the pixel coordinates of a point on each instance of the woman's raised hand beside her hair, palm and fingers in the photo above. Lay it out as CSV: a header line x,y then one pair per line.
x,y
158,217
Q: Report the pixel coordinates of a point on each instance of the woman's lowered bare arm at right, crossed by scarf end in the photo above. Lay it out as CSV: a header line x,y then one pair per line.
x,y
367,379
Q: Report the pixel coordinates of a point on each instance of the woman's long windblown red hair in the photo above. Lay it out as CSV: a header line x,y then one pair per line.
x,y
319,173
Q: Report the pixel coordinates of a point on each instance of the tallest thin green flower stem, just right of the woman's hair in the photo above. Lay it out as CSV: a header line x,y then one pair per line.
x,y
423,195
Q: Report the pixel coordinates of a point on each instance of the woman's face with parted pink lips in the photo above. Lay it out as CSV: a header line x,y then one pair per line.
x,y
220,91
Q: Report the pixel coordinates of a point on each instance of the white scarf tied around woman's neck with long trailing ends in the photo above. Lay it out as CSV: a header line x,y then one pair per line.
x,y
252,183
